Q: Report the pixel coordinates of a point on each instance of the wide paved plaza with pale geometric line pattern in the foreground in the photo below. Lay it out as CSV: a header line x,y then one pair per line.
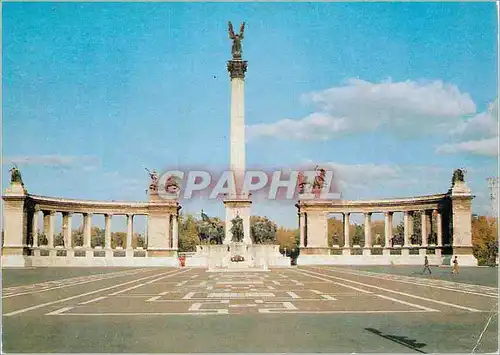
x,y
306,309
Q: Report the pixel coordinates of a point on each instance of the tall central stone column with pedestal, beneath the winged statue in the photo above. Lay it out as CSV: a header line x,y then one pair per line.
x,y
238,204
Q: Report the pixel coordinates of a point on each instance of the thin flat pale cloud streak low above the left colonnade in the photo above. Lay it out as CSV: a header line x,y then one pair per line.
x,y
52,160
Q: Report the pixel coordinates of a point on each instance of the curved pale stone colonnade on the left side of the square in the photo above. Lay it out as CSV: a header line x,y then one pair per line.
x,y
21,240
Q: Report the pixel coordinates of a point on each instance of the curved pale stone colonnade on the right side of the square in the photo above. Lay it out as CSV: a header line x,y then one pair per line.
x,y
452,211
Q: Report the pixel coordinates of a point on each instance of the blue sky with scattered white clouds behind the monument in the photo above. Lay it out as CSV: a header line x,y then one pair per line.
x,y
391,96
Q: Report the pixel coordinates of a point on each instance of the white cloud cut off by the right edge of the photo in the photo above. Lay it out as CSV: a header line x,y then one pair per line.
x,y
477,135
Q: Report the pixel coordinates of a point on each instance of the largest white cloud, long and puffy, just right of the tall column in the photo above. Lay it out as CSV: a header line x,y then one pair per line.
x,y
404,107
